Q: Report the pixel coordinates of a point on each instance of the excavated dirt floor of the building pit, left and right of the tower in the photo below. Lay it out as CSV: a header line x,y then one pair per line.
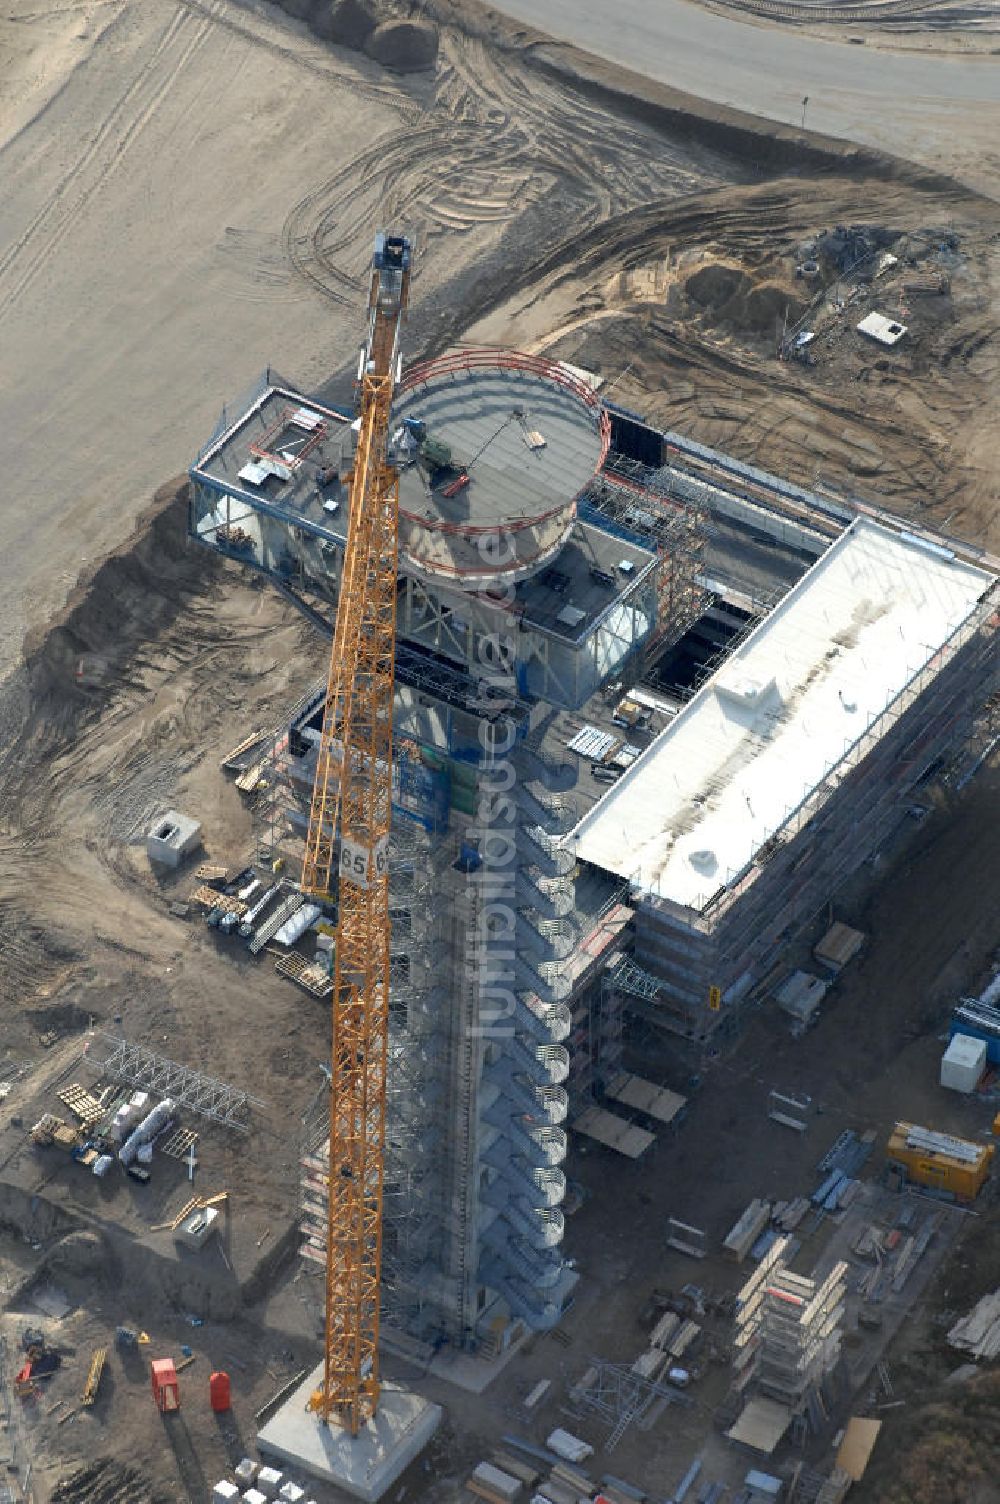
x,y
192,655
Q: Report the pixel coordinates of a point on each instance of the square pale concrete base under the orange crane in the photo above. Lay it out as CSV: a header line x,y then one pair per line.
x,y
363,1466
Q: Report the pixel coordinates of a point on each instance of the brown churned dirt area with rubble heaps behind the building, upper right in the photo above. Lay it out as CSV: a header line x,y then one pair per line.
x,y
682,308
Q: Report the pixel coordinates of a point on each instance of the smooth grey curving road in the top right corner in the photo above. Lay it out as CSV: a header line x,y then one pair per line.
x,y
939,111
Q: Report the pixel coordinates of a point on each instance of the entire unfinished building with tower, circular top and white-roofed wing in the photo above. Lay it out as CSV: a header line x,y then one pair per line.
x,y
574,835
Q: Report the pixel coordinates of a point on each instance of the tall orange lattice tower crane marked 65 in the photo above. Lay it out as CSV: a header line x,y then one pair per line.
x,y
353,790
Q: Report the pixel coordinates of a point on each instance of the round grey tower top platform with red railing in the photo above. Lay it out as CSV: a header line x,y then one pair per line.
x,y
494,449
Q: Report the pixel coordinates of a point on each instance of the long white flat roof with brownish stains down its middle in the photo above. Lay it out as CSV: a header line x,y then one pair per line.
x,y
781,714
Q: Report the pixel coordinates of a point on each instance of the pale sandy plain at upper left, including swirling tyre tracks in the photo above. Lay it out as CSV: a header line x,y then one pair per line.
x,y
190,192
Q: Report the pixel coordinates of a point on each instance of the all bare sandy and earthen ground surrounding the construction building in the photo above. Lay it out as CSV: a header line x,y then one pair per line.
x,y
166,235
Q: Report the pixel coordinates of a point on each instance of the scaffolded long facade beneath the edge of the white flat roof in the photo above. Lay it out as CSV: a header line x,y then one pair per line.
x,y
732,942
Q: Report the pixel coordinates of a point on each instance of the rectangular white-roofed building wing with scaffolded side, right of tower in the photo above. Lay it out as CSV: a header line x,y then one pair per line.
x,y
792,766
